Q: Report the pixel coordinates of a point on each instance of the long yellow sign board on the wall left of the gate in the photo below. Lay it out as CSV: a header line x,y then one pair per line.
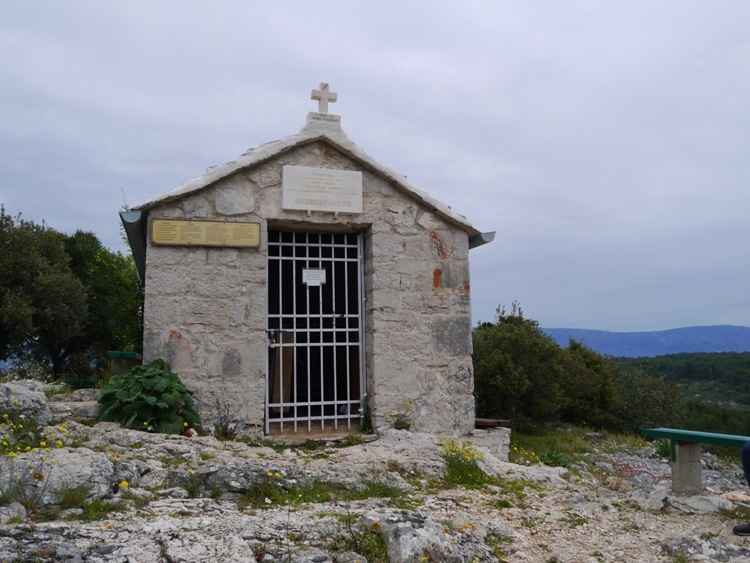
x,y
179,232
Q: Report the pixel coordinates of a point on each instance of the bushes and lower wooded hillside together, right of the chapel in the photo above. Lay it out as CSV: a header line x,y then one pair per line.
x,y
523,373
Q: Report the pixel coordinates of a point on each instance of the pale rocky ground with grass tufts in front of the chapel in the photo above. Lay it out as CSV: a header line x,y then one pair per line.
x,y
185,499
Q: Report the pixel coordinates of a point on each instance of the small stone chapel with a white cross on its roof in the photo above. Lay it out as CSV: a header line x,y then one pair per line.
x,y
305,286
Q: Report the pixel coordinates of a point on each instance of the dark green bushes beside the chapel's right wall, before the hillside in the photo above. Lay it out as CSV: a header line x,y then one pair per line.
x,y
522,374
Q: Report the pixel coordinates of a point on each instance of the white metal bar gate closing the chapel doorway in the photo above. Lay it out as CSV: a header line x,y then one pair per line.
x,y
315,377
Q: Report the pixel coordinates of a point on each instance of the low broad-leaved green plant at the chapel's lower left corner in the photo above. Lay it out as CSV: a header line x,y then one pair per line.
x,y
149,397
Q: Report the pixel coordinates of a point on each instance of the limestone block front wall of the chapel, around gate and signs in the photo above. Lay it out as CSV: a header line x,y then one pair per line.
x,y
205,309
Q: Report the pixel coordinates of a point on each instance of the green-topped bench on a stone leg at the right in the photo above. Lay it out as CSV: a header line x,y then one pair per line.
x,y
686,453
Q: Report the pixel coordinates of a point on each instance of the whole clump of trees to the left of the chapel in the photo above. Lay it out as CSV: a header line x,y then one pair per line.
x,y
64,300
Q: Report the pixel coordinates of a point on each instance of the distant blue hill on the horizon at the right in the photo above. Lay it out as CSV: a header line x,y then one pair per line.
x,y
720,338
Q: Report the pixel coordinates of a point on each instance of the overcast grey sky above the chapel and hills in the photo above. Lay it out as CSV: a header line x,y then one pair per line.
x,y
607,143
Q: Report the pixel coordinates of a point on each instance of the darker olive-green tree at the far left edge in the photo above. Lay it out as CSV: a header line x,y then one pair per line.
x,y
42,304
